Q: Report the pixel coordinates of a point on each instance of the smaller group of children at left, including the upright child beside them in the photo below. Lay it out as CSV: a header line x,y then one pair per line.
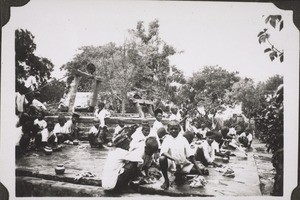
x,y
34,133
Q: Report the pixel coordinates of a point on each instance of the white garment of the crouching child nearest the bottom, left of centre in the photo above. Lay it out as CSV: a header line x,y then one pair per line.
x,y
114,164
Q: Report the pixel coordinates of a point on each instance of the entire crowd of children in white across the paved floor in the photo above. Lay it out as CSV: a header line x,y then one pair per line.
x,y
170,145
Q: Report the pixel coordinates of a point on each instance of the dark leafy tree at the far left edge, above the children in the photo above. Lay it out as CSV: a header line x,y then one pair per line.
x,y
25,56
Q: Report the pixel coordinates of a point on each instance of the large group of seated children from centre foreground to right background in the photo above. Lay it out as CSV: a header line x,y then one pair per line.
x,y
181,150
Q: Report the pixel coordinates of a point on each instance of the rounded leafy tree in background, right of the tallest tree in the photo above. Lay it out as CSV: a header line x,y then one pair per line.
x,y
208,87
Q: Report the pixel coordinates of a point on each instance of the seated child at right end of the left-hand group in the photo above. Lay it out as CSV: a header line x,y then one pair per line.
x,y
71,128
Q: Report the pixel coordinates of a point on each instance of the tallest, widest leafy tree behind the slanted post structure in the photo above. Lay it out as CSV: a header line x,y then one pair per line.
x,y
140,64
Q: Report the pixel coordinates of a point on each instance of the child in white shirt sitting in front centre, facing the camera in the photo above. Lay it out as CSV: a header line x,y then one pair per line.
x,y
175,152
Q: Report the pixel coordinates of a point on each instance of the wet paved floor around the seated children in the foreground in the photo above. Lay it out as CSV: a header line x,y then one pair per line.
x,y
253,176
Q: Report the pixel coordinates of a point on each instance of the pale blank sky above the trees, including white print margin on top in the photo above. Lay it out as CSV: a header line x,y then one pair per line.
x,y
208,33
